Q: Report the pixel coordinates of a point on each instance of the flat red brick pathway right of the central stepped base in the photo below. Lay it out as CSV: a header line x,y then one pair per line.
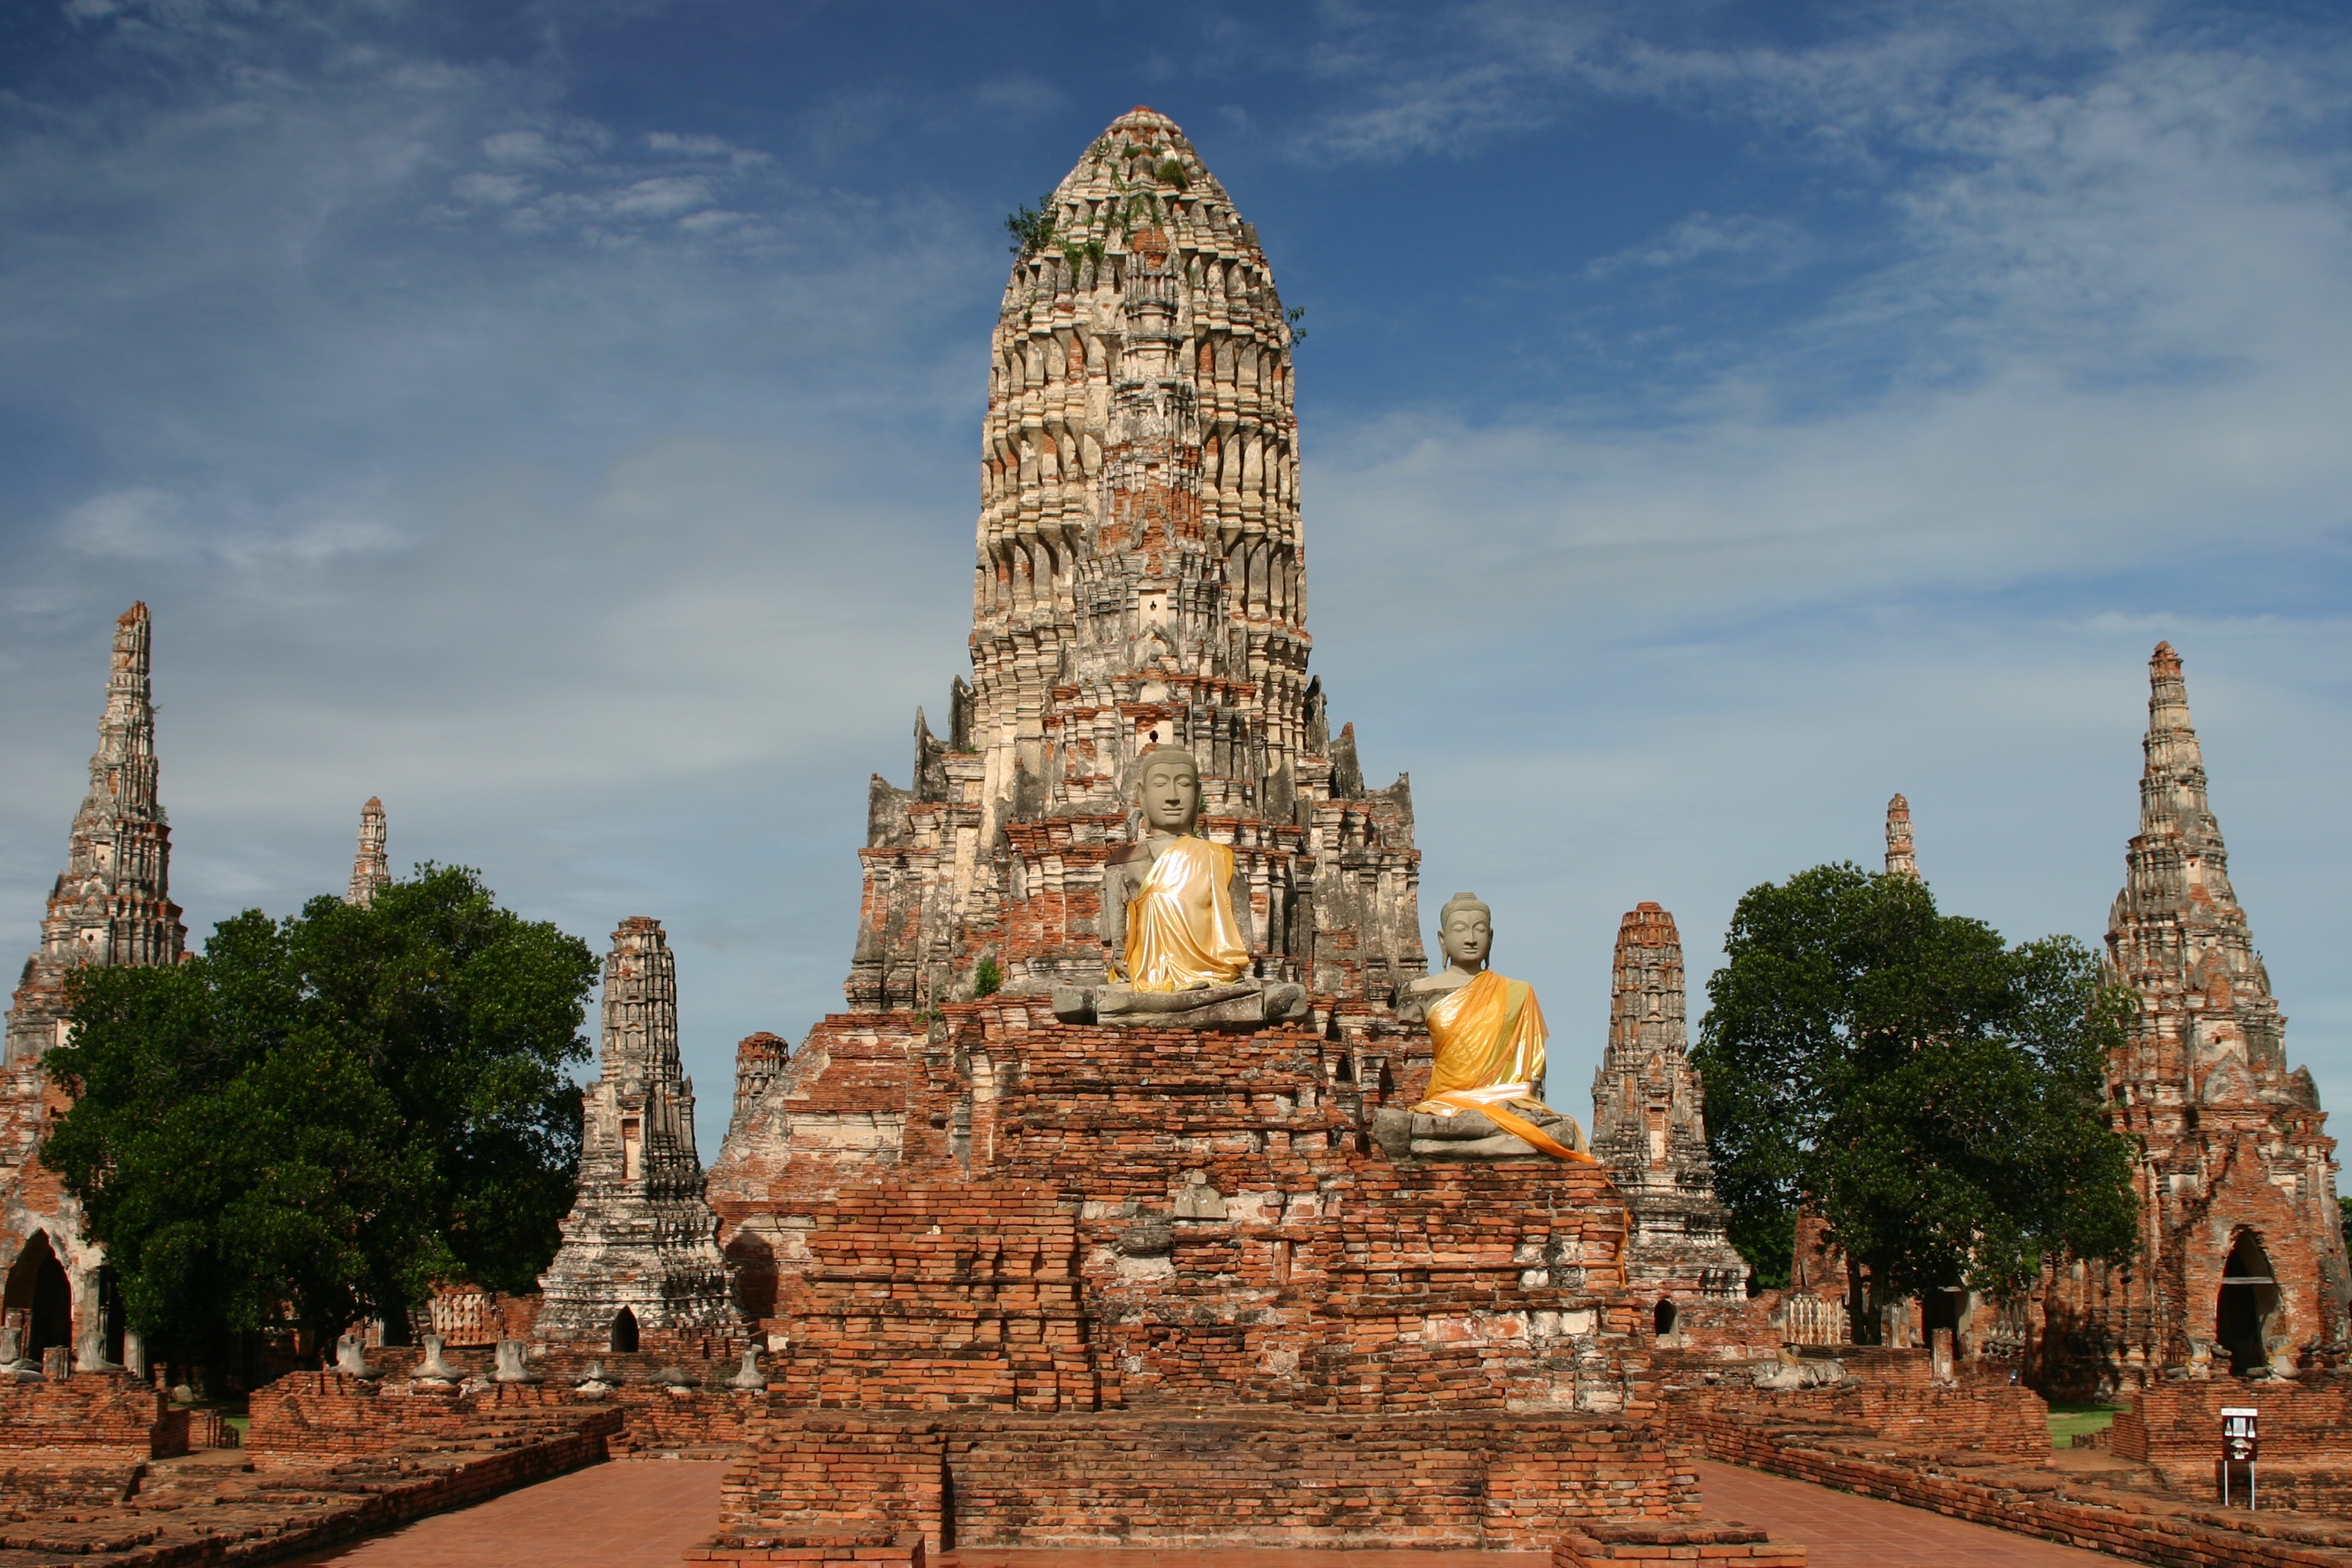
x,y
1847,1532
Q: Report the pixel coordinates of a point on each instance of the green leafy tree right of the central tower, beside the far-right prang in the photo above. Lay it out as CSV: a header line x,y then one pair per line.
x,y
1923,1085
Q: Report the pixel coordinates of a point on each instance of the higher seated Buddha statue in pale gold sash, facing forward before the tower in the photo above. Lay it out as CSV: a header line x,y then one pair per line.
x,y
1177,923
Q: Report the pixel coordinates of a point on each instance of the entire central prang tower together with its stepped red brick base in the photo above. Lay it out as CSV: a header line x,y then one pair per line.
x,y
994,1231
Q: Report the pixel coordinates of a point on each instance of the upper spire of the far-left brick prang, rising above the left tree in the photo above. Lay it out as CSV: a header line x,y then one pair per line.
x,y
114,899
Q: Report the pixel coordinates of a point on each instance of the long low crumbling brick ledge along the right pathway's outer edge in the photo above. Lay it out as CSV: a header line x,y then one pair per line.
x,y
2026,1499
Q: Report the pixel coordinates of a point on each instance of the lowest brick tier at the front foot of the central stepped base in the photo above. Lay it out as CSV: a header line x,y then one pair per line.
x,y
1217,1477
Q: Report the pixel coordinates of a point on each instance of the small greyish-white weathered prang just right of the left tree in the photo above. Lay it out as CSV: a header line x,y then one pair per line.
x,y
641,1257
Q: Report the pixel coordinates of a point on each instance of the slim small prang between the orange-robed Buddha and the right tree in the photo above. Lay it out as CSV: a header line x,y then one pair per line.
x,y
1650,1127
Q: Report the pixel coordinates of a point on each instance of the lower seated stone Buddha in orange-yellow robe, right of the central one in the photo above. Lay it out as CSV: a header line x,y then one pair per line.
x,y
1490,1059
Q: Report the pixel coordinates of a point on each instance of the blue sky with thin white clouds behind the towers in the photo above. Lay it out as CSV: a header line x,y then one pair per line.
x,y
561,422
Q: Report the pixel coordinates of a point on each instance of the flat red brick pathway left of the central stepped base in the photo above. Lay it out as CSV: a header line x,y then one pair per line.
x,y
624,1515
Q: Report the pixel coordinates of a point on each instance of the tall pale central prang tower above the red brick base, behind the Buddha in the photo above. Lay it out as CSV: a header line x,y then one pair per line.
x,y
1140,582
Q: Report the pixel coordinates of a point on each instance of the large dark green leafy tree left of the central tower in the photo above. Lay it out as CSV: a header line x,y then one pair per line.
x,y
316,1118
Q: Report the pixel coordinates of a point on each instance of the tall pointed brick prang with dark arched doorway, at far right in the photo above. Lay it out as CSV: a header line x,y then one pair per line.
x,y
2243,1249
